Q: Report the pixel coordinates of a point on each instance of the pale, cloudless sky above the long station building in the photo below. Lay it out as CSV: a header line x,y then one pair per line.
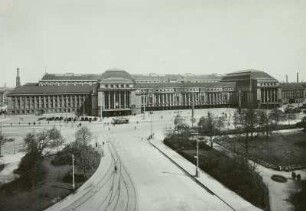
x,y
151,36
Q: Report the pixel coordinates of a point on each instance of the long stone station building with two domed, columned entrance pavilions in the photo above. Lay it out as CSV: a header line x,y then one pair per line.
x,y
116,92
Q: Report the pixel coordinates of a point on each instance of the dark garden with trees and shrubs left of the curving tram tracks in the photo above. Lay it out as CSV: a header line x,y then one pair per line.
x,y
46,176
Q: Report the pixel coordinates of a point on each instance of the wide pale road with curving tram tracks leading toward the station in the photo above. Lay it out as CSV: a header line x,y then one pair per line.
x,y
144,179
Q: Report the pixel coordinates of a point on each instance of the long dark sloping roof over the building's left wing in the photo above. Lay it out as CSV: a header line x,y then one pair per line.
x,y
45,90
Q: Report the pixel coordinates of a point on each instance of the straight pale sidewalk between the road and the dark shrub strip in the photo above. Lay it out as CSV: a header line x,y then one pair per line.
x,y
228,196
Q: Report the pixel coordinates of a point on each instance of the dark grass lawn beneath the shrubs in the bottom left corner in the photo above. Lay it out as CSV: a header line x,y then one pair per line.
x,y
47,193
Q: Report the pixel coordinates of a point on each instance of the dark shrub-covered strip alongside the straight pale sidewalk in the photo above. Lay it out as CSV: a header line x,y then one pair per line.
x,y
225,169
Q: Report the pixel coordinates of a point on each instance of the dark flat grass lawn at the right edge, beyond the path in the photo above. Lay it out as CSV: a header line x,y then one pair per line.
x,y
279,149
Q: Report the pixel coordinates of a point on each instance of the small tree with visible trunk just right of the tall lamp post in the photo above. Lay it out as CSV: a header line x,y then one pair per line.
x,y
209,126
